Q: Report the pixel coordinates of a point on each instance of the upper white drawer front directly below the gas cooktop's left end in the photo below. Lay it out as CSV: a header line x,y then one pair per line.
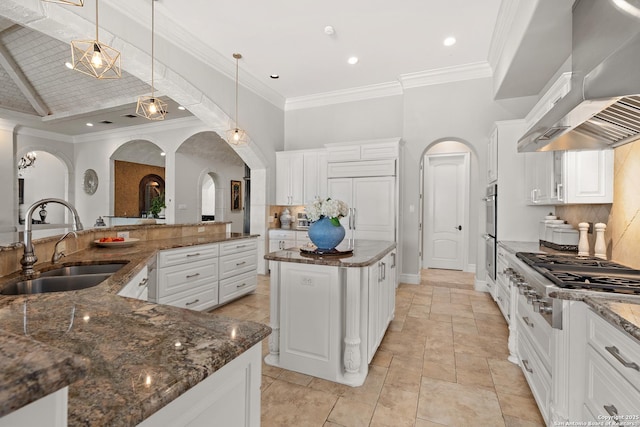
x,y
537,329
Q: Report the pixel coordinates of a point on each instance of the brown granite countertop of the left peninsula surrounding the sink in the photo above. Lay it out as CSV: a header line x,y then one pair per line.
x,y
123,358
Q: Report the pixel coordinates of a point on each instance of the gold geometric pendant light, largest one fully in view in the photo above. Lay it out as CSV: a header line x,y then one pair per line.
x,y
94,58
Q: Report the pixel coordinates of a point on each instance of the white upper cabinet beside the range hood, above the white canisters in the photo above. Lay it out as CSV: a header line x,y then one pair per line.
x,y
569,177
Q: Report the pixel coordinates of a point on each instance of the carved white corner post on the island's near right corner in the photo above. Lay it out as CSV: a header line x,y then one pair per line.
x,y
352,341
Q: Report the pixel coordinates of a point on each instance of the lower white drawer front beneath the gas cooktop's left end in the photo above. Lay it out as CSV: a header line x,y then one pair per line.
x,y
536,374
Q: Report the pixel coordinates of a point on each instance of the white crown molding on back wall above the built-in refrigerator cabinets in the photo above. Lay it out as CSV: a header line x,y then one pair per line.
x,y
341,96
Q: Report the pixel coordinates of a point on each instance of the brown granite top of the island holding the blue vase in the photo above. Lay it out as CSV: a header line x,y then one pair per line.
x,y
364,253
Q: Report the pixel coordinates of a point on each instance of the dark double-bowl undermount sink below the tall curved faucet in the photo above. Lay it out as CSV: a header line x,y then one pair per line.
x,y
70,278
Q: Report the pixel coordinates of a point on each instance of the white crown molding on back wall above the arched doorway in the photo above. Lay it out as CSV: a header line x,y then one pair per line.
x,y
457,73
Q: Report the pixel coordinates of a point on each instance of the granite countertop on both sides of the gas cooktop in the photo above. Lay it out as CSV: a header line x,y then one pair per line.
x,y
621,310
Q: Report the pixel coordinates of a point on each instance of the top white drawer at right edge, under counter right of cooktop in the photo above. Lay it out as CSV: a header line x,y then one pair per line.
x,y
610,342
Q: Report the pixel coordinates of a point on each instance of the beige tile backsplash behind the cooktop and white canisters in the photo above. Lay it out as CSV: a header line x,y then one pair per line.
x,y
622,235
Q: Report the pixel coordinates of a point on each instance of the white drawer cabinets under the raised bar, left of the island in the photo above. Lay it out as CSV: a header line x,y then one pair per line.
x,y
205,276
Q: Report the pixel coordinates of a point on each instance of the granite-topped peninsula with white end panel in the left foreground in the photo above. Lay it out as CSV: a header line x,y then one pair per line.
x,y
138,362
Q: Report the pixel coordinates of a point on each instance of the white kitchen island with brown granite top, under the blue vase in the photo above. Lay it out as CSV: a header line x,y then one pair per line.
x,y
330,313
